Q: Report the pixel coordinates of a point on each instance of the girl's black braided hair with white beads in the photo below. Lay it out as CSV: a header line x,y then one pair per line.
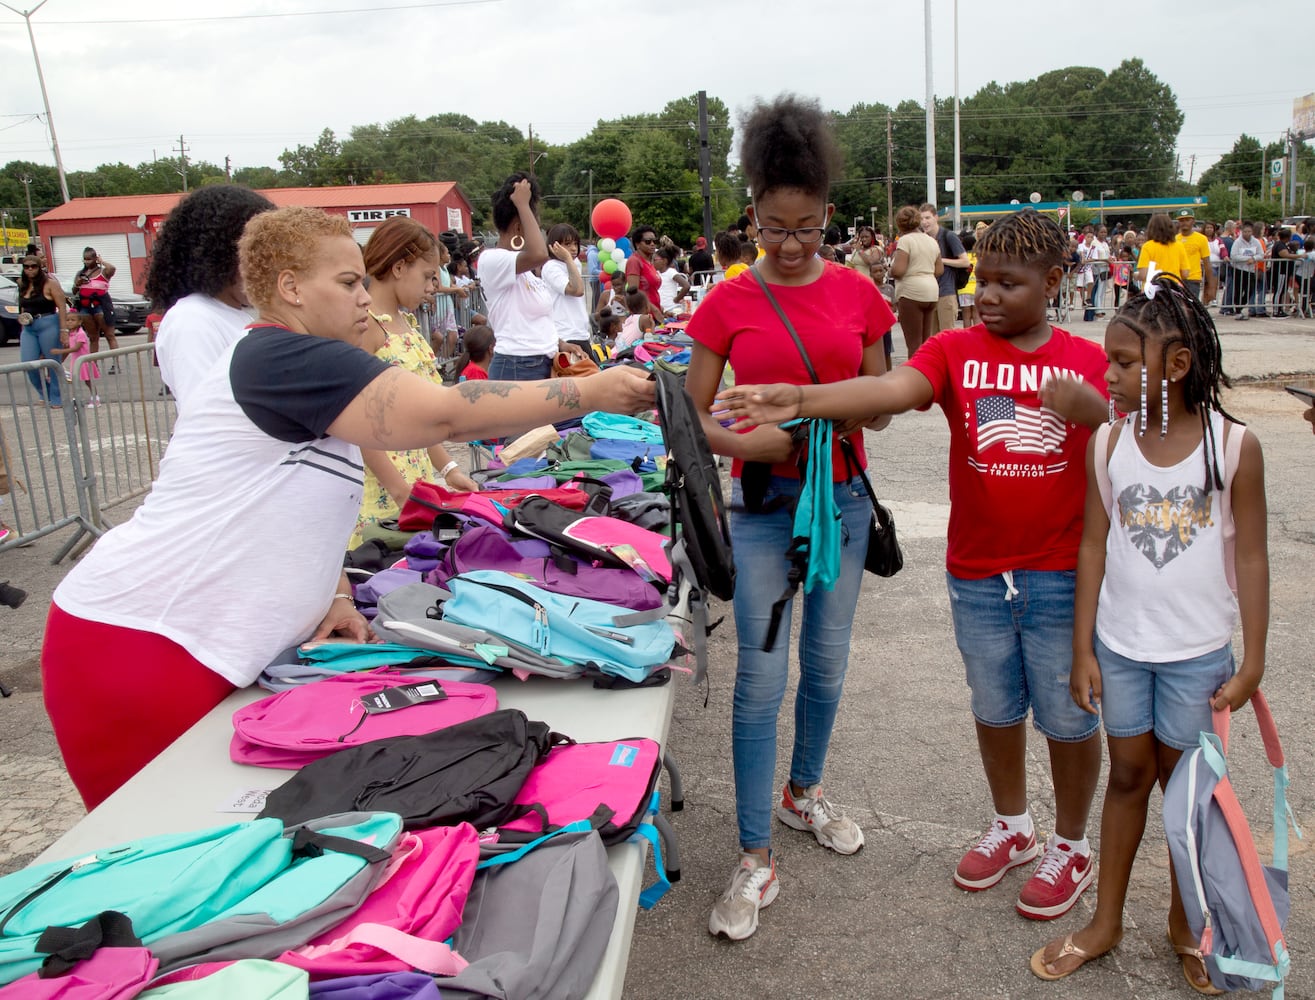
x,y
1171,316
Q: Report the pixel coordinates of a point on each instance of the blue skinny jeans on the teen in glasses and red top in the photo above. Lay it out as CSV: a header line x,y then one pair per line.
x,y
761,568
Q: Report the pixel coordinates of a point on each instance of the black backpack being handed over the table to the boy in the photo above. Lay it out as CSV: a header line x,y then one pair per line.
x,y
700,548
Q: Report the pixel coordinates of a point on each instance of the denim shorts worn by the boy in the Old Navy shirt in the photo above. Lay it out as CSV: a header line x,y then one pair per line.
x,y
1018,651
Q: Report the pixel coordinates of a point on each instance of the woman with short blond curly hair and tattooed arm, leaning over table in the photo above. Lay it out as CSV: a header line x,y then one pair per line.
x,y
237,552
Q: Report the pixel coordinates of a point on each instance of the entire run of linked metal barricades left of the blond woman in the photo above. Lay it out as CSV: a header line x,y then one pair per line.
x,y
99,447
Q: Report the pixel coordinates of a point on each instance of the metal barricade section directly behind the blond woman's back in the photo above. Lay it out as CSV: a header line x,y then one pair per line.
x,y
124,420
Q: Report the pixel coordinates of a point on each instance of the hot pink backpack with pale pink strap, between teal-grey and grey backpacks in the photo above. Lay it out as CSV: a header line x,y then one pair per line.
x,y
404,923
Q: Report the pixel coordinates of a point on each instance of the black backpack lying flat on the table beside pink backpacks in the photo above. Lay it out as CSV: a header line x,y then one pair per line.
x,y
471,773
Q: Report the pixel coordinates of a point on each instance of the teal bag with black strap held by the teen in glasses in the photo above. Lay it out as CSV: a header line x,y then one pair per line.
x,y
815,553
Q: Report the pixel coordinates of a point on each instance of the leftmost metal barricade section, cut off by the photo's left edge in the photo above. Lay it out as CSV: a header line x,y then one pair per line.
x,y
44,459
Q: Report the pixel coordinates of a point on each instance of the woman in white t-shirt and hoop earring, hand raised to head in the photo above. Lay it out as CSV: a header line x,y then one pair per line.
x,y
520,305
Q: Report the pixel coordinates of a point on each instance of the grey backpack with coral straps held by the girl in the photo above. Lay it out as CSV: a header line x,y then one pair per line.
x,y
1237,907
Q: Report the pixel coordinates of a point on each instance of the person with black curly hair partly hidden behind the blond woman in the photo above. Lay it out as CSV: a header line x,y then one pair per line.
x,y
195,278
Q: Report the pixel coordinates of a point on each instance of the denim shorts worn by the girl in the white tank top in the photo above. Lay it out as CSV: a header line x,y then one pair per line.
x,y
1170,699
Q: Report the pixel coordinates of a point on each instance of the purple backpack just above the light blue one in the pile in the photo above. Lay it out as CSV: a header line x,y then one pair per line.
x,y
487,548
